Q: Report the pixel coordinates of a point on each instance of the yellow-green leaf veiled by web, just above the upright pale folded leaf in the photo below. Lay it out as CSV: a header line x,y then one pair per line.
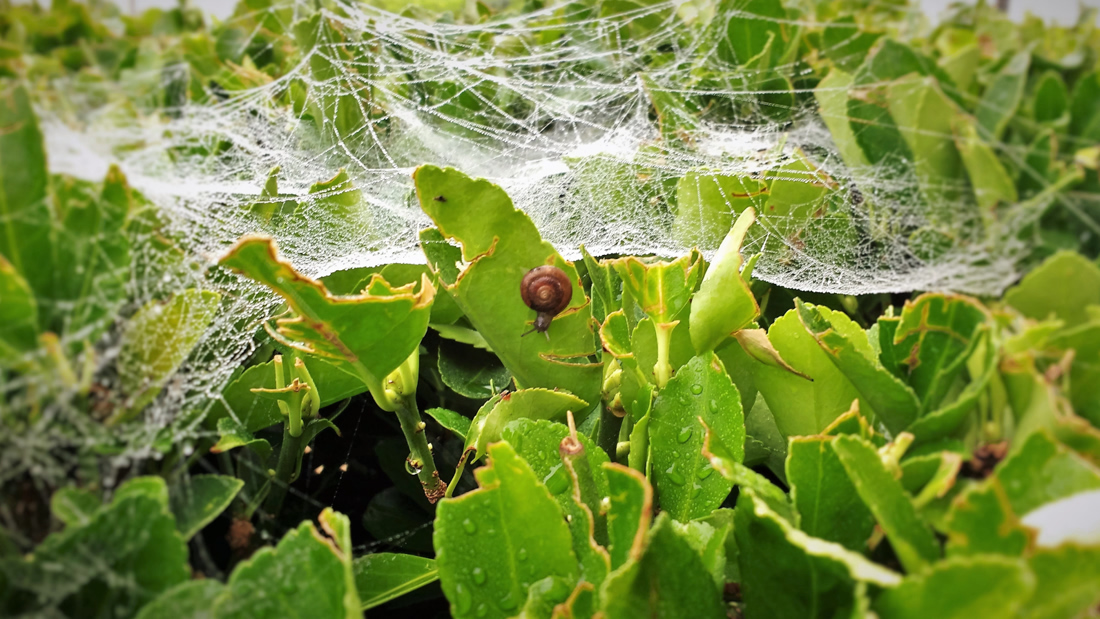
x,y
707,205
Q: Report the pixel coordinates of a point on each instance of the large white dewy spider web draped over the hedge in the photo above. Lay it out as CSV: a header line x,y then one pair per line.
x,y
581,118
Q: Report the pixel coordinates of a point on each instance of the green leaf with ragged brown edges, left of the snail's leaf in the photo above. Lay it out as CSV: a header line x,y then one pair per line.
x,y
369,335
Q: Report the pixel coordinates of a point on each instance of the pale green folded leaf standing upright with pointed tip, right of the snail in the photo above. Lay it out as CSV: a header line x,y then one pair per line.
x,y
724,303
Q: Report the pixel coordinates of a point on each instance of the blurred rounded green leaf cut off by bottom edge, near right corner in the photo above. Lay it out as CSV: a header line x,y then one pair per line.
x,y
961,589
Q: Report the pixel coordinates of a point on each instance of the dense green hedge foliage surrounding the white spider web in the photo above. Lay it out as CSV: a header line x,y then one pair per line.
x,y
685,440
